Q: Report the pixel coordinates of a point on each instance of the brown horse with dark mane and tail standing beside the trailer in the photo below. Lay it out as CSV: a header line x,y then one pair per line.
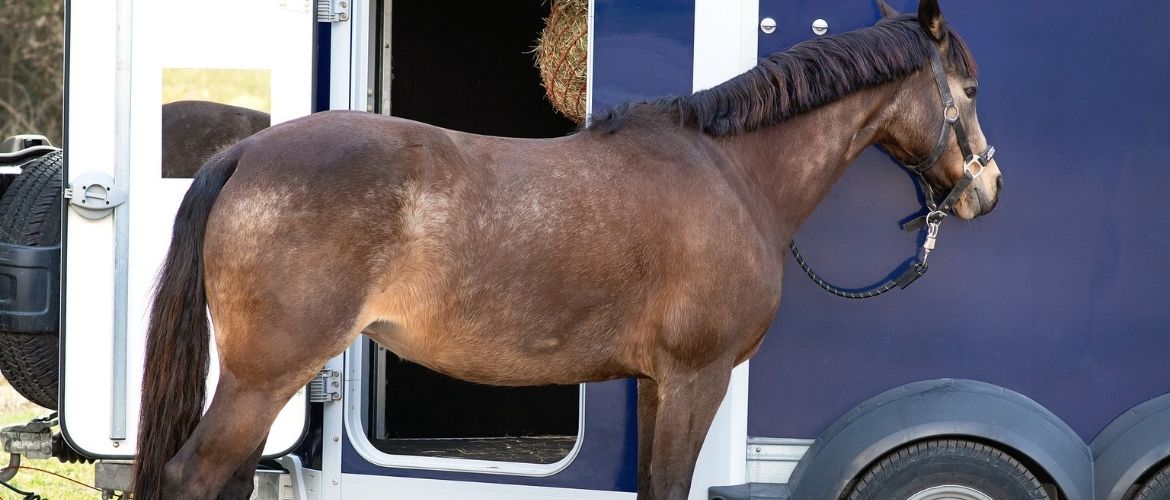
x,y
650,245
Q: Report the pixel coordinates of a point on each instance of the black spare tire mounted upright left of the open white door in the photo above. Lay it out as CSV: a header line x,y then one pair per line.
x,y
31,216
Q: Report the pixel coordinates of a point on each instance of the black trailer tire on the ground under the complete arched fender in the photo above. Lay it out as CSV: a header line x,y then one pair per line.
x,y
959,468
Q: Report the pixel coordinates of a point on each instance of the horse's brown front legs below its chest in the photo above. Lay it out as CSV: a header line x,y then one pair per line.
x,y
687,402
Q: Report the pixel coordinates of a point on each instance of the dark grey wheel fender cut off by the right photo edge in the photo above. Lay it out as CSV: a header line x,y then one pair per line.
x,y
1131,447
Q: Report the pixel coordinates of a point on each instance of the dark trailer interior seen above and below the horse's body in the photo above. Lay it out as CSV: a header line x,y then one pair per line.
x,y
470,67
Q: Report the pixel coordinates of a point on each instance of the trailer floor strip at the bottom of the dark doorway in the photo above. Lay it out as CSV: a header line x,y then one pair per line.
x,y
528,450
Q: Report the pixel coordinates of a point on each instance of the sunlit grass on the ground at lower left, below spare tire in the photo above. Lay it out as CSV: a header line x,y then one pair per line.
x,y
16,410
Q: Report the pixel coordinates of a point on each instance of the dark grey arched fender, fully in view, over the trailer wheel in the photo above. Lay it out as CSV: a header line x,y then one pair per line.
x,y
944,408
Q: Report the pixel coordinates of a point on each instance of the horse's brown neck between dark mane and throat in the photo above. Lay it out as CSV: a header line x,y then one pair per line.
x,y
795,163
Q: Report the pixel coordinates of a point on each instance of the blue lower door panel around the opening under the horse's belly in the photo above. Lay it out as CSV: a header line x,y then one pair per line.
x,y
607,462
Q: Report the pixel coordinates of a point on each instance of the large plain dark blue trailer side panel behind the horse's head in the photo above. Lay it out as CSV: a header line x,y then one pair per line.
x,y
1061,294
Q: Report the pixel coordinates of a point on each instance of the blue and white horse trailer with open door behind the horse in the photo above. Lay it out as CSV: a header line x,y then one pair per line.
x,y
1033,357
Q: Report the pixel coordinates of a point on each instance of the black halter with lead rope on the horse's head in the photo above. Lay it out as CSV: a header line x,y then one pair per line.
x,y
935,213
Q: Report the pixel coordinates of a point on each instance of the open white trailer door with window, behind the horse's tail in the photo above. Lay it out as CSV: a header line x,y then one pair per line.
x,y
250,64
